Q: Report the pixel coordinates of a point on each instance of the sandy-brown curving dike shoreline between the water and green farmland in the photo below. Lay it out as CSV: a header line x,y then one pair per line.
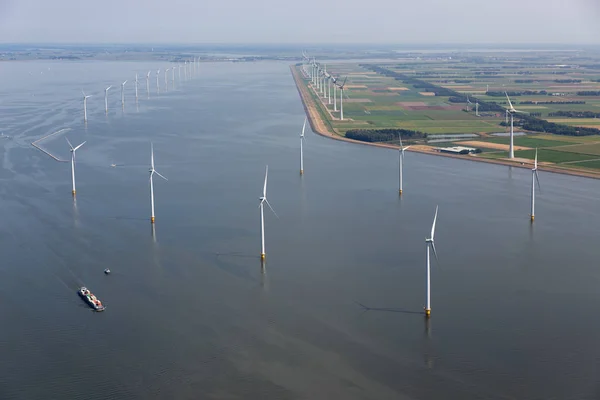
x,y
319,127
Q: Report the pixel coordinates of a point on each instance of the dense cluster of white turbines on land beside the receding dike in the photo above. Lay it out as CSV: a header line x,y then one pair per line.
x,y
322,81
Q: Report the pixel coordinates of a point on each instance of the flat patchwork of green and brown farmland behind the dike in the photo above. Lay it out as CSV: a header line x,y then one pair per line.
x,y
558,87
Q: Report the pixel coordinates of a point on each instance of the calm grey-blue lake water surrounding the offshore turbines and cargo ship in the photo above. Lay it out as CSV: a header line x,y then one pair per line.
x,y
189,313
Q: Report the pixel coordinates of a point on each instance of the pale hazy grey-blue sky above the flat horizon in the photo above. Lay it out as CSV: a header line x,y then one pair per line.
x,y
300,21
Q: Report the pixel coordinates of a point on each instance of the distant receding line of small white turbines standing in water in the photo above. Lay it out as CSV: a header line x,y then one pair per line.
x,y
190,69
